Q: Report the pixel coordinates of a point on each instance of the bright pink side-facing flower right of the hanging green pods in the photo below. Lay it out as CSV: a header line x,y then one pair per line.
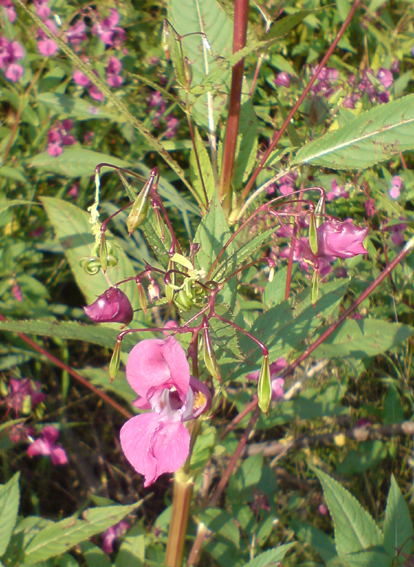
x,y
341,239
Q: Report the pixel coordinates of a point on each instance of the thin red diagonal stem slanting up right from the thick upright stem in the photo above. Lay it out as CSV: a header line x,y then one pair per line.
x,y
300,100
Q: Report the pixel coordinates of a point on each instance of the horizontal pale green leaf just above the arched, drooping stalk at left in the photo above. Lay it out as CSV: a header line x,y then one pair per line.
x,y
75,162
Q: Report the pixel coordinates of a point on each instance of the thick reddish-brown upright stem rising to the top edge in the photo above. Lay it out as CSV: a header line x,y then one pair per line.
x,y
241,11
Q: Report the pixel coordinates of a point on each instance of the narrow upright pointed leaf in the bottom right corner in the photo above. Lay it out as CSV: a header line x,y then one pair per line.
x,y
398,527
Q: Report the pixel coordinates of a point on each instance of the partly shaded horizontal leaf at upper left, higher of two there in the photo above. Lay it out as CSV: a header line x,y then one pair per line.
x,y
66,106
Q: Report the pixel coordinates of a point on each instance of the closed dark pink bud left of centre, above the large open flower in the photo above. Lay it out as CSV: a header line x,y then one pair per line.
x,y
113,306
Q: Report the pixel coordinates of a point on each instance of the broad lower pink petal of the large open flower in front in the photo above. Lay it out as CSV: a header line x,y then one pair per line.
x,y
154,444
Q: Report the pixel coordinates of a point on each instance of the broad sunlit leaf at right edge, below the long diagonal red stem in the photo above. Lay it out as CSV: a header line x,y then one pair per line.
x,y
363,338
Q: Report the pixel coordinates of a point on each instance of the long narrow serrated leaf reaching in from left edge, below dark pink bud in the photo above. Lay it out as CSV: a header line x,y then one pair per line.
x,y
69,330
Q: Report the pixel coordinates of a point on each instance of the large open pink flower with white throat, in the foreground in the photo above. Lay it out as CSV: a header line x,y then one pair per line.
x,y
157,442
